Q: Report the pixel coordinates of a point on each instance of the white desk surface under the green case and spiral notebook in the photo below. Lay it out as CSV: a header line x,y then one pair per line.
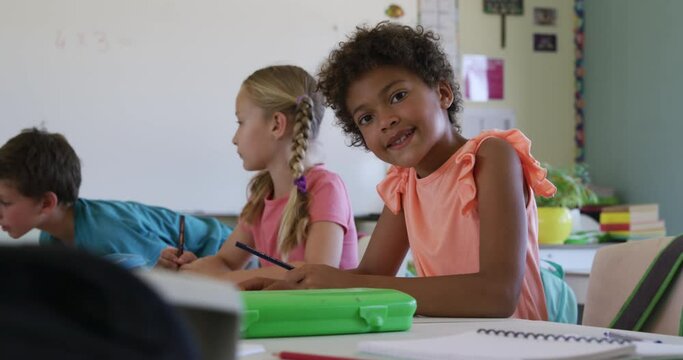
x,y
345,345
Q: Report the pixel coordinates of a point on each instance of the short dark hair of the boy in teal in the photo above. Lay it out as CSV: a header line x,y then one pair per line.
x,y
36,162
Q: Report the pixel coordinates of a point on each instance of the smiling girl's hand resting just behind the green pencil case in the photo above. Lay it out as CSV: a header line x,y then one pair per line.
x,y
308,276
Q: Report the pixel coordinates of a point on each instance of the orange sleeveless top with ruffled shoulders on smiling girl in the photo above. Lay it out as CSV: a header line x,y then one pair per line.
x,y
448,197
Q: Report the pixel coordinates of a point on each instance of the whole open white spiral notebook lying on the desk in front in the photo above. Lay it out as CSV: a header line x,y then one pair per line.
x,y
493,344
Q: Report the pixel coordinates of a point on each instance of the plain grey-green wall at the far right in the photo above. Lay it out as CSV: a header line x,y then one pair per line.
x,y
633,101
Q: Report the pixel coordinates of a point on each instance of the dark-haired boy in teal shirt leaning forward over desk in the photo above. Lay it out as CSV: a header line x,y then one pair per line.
x,y
40,175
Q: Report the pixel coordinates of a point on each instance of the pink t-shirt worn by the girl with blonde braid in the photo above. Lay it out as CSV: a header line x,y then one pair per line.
x,y
329,201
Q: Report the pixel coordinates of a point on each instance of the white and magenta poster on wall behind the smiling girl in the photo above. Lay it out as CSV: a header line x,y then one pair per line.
x,y
482,78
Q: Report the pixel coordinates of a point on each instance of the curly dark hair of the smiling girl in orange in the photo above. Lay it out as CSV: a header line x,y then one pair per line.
x,y
387,43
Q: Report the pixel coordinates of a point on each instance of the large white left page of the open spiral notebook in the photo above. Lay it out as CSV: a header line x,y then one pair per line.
x,y
477,346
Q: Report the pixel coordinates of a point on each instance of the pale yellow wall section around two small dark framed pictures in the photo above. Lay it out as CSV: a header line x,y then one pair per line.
x,y
539,86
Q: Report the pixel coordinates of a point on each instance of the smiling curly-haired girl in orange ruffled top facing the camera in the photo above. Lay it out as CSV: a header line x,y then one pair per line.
x,y
464,207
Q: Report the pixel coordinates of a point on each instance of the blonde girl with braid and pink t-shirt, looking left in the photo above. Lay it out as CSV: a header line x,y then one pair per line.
x,y
297,211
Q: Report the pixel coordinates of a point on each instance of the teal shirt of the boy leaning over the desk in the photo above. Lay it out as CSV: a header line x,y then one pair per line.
x,y
105,227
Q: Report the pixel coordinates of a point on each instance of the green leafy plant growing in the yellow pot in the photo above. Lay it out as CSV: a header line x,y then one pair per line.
x,y
572,188
